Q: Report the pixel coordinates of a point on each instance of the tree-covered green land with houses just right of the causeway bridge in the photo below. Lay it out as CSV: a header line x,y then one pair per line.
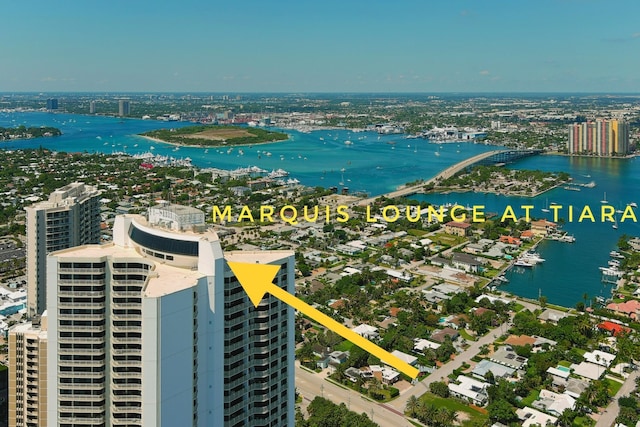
x,y
498,180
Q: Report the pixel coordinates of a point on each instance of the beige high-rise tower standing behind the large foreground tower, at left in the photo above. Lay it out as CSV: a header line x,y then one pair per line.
x,y
70,217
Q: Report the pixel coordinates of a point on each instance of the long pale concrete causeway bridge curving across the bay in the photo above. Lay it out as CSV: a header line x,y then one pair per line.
x,y
496,157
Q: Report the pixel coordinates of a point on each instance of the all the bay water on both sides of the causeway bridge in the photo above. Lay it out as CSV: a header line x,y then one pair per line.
x,y
380,164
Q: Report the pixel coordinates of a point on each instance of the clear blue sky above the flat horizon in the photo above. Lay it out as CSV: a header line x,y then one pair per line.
x,y
322,46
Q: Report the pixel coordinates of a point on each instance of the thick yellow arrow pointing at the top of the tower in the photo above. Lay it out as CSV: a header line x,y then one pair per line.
x,y
256,279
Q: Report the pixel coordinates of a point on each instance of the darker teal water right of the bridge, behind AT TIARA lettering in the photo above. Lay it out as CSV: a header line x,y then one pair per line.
x,y
570,269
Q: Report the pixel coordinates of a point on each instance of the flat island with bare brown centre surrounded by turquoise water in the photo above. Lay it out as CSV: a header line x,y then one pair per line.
x,y
213,136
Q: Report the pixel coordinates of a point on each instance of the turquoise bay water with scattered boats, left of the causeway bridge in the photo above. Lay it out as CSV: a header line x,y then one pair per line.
x,y
370,164
